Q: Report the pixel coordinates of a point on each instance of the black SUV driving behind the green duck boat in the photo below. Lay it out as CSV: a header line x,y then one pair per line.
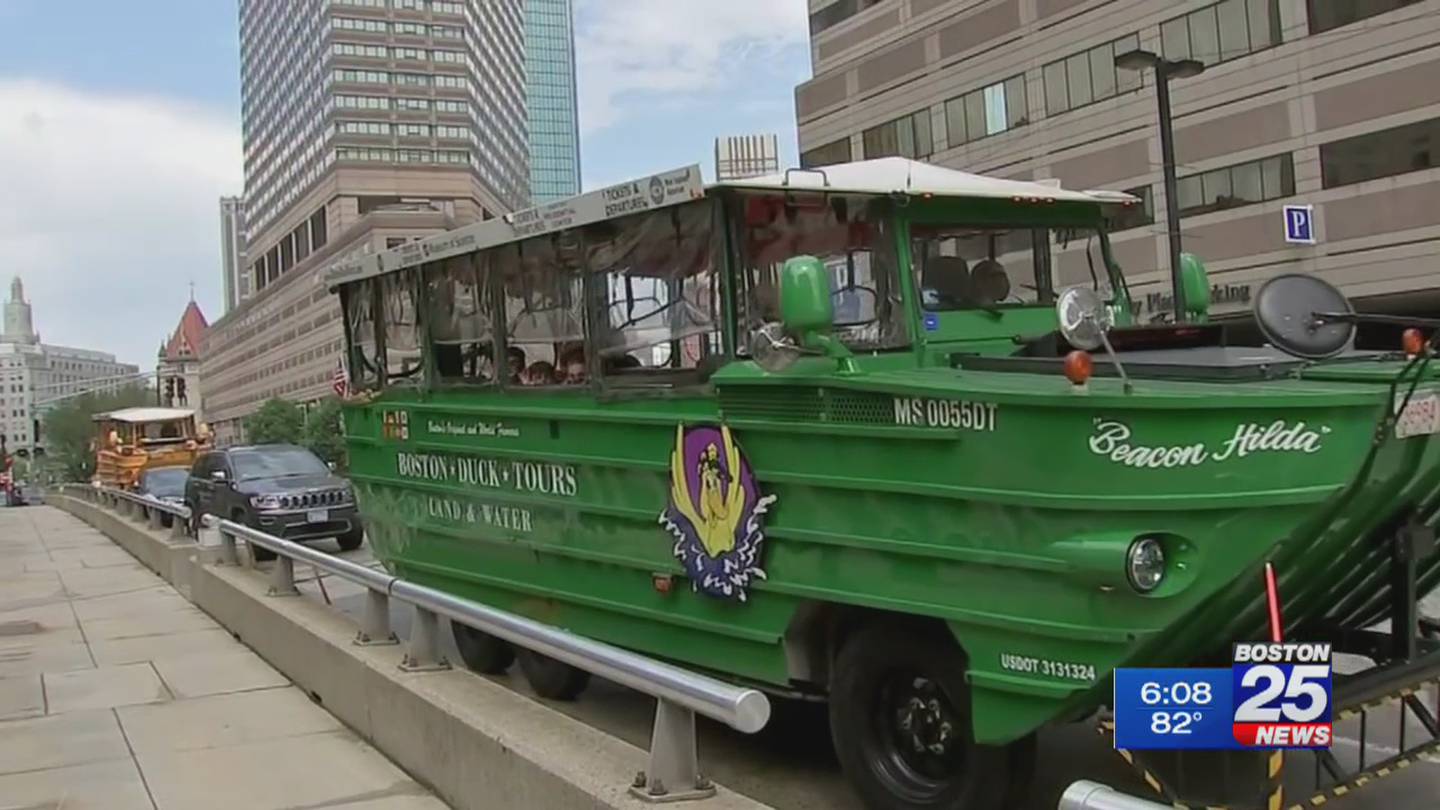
x,y
279,489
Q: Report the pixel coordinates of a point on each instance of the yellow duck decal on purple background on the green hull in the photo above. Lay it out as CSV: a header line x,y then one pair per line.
x,y
715,512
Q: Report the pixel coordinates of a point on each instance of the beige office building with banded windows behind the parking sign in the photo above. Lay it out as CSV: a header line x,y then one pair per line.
x,y
1307,103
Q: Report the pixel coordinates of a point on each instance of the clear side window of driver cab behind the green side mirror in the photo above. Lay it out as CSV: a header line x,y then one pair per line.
x,y
852,236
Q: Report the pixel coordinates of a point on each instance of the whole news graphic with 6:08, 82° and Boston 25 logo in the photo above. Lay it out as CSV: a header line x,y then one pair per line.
x,y
1275,697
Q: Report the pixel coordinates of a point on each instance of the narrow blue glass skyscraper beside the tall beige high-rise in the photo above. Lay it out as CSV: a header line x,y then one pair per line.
x,y
555,138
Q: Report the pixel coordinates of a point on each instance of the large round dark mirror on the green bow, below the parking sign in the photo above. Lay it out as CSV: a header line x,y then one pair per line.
x,y
1288,311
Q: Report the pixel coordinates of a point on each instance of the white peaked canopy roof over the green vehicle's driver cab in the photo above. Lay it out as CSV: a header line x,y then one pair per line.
x,y
899,175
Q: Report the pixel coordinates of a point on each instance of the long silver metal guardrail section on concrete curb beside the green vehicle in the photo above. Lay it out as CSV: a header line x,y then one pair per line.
x,y
673,773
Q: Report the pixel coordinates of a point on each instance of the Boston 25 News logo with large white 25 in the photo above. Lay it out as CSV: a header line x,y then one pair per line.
x,y
1282,695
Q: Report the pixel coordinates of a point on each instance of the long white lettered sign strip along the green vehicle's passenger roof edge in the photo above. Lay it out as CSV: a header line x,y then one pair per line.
x,y
623,200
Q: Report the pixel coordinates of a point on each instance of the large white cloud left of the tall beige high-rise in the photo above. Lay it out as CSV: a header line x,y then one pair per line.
x,y
110,211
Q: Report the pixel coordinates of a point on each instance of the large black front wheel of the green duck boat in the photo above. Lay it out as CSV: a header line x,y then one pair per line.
x,y
901,721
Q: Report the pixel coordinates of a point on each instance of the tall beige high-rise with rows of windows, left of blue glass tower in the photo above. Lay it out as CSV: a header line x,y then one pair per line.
x,y
366,123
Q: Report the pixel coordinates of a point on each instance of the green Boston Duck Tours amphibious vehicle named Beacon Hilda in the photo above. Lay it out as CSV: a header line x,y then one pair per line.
x,y
839,433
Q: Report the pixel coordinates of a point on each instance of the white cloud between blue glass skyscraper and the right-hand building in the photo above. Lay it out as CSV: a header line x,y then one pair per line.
x,y
640,53
